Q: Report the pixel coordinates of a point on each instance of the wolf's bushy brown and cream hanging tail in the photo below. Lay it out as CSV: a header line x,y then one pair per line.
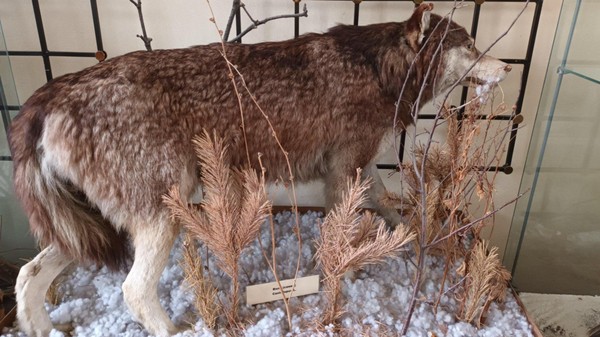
x,y
59,213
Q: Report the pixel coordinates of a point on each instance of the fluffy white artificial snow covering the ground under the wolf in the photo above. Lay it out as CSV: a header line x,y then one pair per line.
x,y
376,298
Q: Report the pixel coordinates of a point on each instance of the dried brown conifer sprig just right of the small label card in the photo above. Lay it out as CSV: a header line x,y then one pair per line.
x,y
350,242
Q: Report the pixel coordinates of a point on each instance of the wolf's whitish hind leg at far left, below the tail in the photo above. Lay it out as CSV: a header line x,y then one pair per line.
x,y
32,284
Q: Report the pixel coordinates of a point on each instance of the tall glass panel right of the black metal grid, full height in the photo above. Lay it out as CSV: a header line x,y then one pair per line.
x,y
553,247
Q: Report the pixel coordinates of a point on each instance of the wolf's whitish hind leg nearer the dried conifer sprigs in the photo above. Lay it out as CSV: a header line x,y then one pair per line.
x,y
152,243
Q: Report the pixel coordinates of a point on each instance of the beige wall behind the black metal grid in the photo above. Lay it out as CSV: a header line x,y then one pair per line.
x,y
180,23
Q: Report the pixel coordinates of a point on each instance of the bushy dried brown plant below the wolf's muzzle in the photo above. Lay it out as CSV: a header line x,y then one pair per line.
x,y
452,173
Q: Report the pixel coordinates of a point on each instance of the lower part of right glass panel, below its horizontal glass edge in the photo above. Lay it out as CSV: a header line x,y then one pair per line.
x,y
559,252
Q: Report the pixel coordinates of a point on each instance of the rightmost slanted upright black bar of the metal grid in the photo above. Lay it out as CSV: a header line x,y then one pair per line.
x,y
526,67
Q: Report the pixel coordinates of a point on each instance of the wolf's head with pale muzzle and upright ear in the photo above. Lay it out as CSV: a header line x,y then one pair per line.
x,y
450,51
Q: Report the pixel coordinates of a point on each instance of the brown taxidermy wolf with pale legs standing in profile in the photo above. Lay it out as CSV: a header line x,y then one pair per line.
x,y
94,151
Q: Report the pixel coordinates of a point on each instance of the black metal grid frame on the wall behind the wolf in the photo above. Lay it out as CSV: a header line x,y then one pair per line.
x,y
514,119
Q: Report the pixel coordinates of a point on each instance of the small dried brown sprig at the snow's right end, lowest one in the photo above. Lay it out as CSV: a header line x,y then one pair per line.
x,y
485,281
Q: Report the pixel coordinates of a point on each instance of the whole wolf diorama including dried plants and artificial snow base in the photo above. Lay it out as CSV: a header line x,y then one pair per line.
x,y
106,161
